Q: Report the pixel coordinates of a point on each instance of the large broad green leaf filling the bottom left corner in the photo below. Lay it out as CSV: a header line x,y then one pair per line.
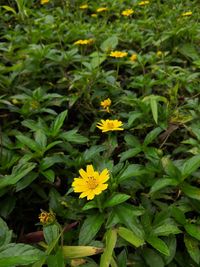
x,y
19,254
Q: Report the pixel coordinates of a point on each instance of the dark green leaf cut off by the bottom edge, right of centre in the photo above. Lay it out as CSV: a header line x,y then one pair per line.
x,y
152,258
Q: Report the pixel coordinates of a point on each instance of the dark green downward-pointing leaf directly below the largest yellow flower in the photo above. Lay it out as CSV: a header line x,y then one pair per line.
x,y
90,228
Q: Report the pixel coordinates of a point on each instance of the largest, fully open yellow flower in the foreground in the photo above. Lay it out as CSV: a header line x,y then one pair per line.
x,y
90,182
